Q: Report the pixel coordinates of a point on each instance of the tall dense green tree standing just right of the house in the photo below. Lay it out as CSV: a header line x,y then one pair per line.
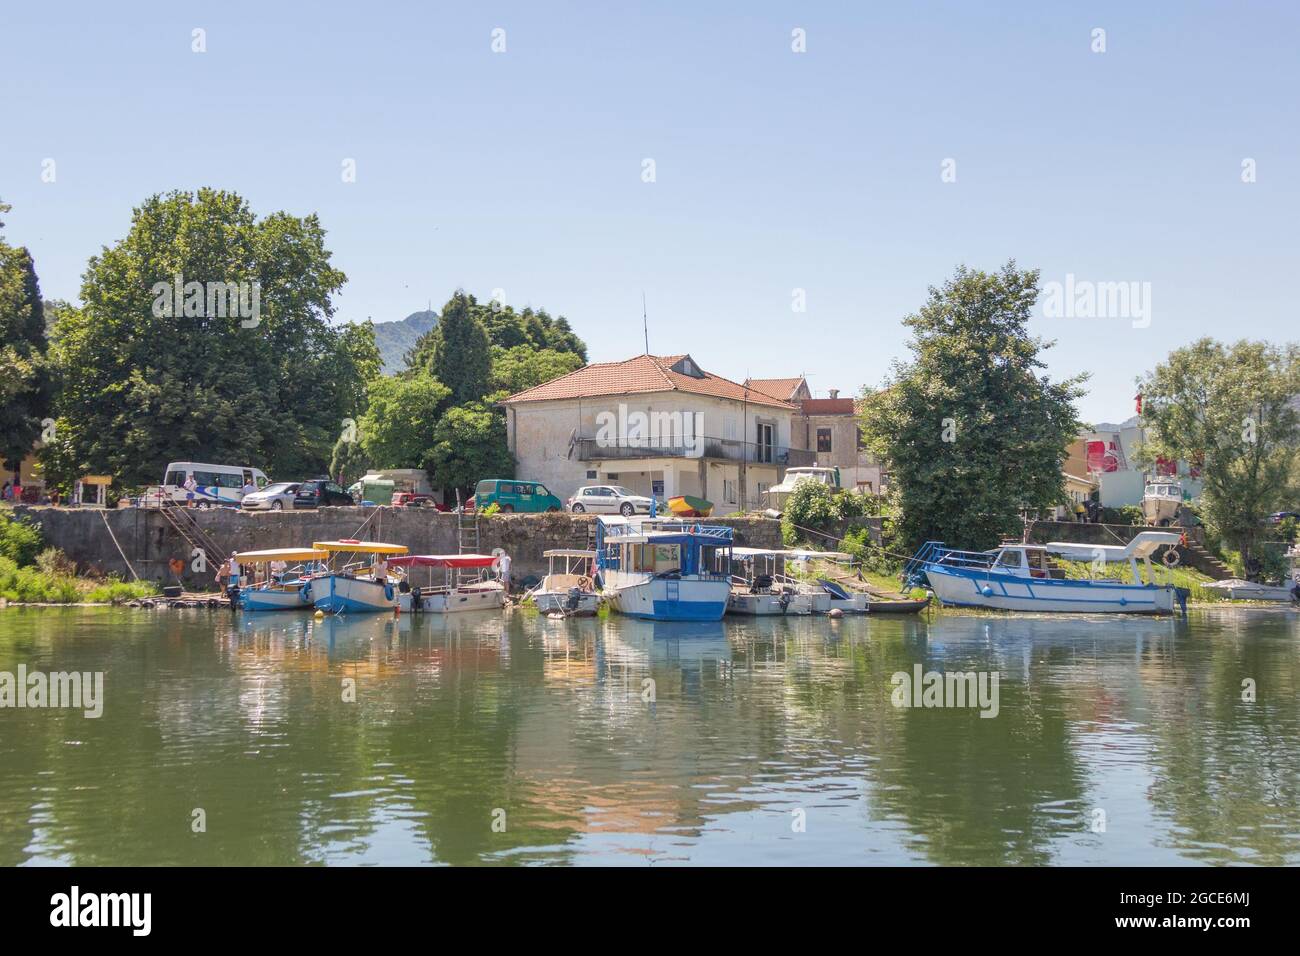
x,y
969,429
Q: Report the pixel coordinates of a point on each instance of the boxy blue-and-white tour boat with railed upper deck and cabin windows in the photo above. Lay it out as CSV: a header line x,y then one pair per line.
x,y
664,570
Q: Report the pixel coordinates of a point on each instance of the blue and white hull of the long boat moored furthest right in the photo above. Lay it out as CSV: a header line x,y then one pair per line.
x,y
963,589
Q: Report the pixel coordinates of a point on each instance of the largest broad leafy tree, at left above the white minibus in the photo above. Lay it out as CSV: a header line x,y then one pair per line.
x,y
145,384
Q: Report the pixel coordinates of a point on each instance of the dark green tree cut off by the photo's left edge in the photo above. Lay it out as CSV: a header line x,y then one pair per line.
x,y
25,377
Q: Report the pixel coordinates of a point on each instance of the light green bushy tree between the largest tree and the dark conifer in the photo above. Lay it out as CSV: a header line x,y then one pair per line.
x,y
400,425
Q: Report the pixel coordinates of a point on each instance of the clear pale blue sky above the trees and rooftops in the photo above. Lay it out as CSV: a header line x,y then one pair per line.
x,y
775,171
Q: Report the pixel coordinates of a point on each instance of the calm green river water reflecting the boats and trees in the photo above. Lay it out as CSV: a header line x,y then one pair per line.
x,y
514,739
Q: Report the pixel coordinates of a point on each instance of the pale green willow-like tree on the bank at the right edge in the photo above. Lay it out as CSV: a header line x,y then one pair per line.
x,y
1232,410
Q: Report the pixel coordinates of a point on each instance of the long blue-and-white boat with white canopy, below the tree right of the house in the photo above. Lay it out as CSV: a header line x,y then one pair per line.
x,y
1024,577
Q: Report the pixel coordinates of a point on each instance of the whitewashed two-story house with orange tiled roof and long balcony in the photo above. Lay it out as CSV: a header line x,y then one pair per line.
x,y
657,426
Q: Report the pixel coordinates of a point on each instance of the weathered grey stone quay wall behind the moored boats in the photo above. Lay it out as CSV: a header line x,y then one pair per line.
x,y
149,540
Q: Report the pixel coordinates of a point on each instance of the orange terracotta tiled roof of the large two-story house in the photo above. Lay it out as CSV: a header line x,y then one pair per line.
x,y
640,375
